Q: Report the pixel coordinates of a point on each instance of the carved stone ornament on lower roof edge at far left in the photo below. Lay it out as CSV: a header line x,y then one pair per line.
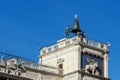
x,y
11,66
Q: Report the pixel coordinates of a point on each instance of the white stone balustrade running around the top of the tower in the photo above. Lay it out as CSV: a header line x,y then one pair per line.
x,y
66,42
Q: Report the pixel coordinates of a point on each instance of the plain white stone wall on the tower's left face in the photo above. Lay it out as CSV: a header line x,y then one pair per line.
x,y
68,54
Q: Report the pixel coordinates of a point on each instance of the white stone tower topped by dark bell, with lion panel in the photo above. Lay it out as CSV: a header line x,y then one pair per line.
x,y
78,58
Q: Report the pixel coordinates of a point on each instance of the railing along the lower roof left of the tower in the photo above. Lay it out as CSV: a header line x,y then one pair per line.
x,y
30,64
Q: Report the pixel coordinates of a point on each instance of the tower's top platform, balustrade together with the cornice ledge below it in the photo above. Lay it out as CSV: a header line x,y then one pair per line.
x,y
77,40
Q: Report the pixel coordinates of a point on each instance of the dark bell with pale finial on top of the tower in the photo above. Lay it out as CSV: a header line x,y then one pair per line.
x,y
76,29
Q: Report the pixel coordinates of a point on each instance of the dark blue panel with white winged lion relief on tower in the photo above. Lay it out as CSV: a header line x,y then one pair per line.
x,y
92,64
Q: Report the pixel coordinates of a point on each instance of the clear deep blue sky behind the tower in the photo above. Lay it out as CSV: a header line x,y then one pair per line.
x,y
26,25
